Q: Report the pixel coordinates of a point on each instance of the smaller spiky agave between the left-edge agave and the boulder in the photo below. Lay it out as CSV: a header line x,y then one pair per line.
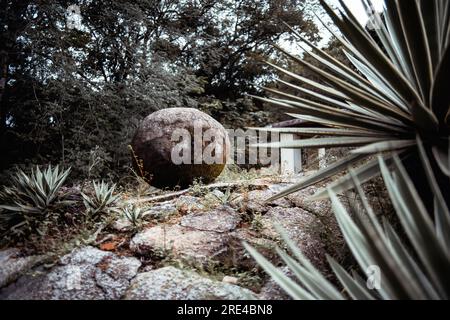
x,y
102,201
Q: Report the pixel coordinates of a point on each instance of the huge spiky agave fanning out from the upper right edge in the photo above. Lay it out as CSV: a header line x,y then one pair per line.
x,y
399,92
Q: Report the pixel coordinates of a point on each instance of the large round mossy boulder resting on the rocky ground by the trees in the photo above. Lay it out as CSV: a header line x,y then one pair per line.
x,y
176,146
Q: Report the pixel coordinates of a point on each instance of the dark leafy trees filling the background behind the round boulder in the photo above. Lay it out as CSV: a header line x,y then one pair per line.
x,y
74,96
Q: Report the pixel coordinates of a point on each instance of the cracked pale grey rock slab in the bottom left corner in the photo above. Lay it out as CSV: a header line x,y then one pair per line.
x,y
85,274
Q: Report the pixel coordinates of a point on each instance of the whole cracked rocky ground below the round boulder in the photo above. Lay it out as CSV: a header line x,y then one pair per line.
x,y
191,248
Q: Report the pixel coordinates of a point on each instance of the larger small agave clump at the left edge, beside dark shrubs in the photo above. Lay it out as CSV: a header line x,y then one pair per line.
x,y
30,199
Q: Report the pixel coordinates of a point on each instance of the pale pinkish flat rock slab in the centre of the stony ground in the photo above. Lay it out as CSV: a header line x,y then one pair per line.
x,y
181,242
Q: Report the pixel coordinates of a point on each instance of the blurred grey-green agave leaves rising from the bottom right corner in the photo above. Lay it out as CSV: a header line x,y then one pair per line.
x,y
404,273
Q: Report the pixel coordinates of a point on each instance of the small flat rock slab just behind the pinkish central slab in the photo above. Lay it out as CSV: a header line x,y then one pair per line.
x,y
223,219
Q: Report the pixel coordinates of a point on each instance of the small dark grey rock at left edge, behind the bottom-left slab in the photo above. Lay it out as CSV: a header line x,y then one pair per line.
x,y
13,265
